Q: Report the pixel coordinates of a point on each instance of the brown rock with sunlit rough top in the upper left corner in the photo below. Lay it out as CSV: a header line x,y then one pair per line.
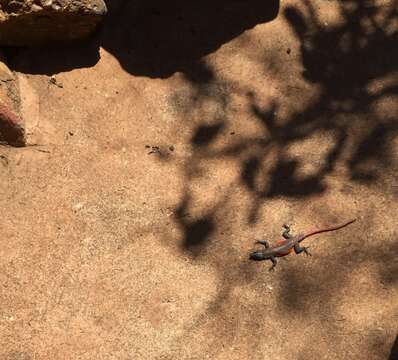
x,y
30,22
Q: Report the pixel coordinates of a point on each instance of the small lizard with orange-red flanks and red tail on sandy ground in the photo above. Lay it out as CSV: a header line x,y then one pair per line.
x,y
286,245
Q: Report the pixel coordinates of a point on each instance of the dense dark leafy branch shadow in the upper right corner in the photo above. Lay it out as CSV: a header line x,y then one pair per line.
x,y
363,54
